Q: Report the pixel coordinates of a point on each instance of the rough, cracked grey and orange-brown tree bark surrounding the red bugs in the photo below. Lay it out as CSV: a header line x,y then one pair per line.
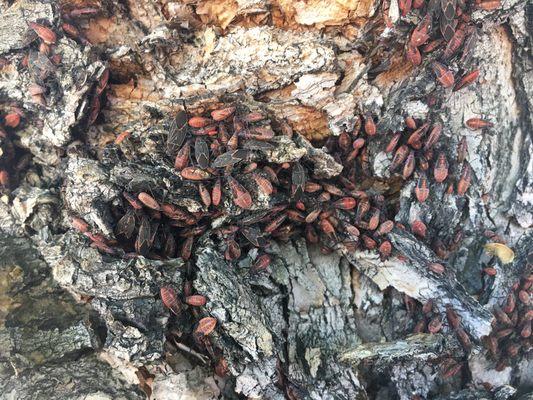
x,y
78,323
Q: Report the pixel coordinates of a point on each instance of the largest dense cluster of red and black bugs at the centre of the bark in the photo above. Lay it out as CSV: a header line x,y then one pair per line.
x,y
221,157
